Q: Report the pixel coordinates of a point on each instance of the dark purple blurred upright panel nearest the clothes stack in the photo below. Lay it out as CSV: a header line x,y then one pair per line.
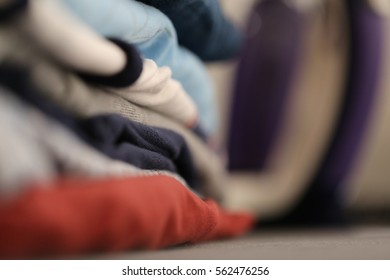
x,y
264,77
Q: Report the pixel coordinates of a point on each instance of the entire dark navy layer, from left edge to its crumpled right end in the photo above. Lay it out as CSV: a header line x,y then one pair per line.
x,y
119,138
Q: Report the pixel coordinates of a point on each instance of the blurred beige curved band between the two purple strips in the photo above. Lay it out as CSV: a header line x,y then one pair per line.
x,y
310,117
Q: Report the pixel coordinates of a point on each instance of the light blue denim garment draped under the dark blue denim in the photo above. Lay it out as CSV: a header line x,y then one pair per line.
x,y
155,37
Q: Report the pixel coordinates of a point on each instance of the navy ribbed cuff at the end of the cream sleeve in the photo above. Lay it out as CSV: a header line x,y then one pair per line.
x,y
129,74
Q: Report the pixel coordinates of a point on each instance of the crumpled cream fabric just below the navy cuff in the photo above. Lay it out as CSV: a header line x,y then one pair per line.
x,y
155,89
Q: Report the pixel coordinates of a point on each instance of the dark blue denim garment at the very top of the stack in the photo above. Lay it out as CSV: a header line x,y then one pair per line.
x,y
201,27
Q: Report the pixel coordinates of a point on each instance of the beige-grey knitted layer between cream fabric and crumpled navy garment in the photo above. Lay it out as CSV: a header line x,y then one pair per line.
x,y
83,100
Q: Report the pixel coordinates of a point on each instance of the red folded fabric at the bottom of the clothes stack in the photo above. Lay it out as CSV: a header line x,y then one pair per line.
x,y
74,216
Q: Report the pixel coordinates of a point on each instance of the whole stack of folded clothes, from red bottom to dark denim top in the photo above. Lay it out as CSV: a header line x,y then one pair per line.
x,y
107,126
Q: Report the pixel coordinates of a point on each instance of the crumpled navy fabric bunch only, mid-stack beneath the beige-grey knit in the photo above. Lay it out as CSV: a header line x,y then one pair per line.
x,y
143,146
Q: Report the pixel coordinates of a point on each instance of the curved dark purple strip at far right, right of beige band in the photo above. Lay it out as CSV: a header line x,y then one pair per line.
x,y
324,200
